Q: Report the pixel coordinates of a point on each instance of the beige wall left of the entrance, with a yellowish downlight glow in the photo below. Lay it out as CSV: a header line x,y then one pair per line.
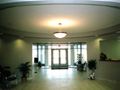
x,y
14,51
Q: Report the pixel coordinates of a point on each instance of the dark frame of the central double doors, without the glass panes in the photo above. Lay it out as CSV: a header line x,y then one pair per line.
x,y
60,66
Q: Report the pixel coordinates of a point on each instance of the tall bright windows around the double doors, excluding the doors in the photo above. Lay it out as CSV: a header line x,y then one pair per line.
x,y
43,52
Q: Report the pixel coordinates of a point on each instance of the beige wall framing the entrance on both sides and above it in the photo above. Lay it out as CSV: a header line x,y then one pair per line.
x,y
14,50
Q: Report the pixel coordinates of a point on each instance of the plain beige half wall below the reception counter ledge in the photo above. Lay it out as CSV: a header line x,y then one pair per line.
x,y
109,71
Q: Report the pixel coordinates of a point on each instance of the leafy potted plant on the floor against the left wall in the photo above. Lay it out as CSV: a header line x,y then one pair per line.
x,y
24,69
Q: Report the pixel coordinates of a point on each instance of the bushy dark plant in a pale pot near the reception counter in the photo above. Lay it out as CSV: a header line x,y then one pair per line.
x,y
92,68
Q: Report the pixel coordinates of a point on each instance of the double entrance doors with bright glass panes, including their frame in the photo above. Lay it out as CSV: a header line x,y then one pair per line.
x,y
59,59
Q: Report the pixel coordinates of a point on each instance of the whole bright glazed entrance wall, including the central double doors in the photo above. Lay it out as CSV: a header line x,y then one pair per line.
x,y
59,55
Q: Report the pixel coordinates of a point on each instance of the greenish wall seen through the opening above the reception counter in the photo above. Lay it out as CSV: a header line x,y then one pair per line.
x,y
111,48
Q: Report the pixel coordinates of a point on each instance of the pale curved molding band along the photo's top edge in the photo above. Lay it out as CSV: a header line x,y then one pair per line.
x,y
13,3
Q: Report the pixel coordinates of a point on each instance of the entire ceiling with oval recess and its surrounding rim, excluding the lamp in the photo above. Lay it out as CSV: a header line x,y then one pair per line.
x,y
40,19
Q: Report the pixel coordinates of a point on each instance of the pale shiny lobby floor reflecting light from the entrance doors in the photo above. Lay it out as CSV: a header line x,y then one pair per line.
x,y
64,79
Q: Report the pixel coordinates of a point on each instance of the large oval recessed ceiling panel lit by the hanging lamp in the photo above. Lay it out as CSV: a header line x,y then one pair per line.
x,y
45,18
